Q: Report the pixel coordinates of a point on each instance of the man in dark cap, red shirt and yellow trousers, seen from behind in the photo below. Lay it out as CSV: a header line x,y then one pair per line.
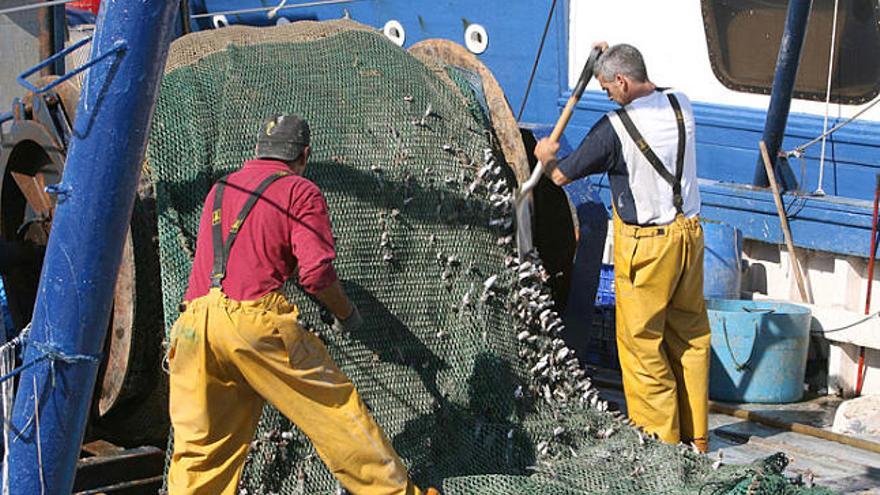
x,y
237,342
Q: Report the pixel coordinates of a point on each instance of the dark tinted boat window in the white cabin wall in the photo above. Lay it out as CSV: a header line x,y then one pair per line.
x,y
743,40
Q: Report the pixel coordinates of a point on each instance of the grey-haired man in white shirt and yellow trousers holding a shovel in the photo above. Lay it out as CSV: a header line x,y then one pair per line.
x,y
647,148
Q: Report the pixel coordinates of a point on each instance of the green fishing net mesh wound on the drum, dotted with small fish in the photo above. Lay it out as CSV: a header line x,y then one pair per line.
x,y
459,358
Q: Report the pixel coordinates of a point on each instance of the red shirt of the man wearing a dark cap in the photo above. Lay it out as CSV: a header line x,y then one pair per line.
x,y
288,230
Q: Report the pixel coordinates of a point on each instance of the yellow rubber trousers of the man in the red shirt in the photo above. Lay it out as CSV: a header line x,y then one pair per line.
x,y
225,358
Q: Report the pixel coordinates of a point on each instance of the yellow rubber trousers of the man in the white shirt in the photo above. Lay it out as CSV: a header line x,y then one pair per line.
x,y
662,328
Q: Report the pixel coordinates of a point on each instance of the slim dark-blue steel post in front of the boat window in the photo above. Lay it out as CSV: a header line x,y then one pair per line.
x,y
783,83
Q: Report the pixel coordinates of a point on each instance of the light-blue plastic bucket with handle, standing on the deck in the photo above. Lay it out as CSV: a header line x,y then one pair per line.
x,y
759,350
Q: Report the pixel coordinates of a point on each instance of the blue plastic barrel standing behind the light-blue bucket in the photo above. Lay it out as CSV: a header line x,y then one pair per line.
x,y
722,274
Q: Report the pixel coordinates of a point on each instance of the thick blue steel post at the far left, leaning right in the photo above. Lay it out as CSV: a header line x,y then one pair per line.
x,y
95,200
